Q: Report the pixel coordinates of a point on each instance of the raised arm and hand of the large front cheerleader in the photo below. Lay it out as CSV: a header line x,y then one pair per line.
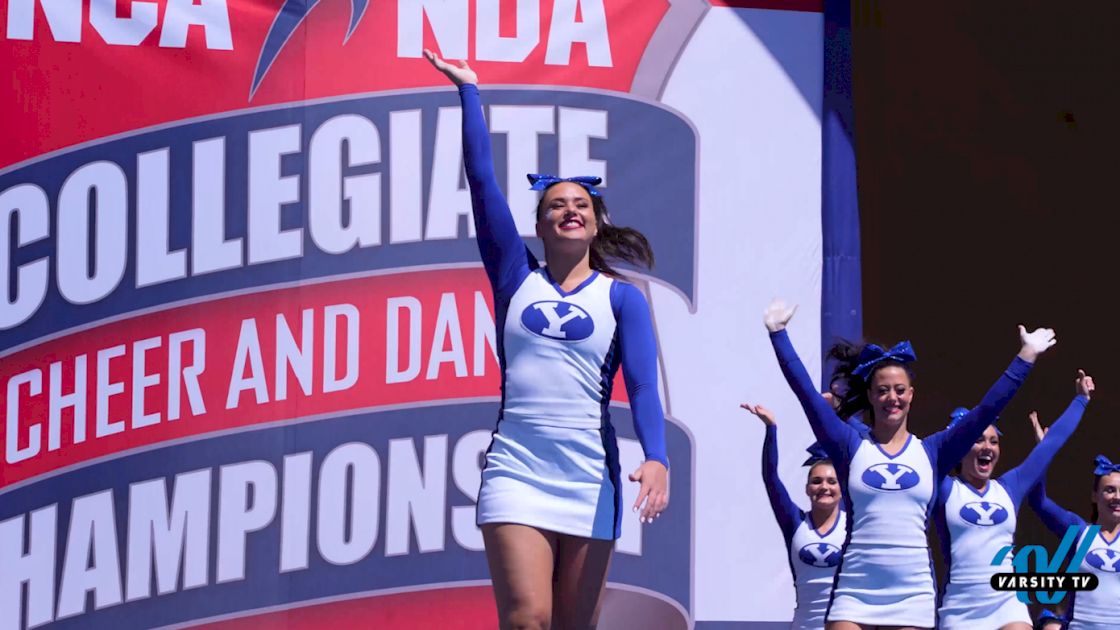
x,y
503,253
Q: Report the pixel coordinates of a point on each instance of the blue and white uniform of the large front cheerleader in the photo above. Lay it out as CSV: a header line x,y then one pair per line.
x,y
554,461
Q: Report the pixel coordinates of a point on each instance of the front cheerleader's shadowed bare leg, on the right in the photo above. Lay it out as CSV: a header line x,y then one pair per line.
x,y
582,573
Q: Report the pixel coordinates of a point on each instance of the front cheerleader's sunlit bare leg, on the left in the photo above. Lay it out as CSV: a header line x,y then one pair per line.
x,y
521,561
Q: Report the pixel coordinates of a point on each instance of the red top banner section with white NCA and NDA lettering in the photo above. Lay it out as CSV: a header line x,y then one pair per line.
x,y
79,70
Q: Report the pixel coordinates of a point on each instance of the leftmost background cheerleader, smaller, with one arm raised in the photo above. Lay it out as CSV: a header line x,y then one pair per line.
x,y
814,540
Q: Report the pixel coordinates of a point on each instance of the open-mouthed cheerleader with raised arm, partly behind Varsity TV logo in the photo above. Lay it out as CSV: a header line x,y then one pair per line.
x,y
977,517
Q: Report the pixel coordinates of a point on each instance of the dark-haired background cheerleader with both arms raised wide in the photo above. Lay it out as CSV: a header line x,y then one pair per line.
x,y
889,478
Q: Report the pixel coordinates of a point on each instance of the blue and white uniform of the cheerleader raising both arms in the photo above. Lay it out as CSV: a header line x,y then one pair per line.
x,y
886,573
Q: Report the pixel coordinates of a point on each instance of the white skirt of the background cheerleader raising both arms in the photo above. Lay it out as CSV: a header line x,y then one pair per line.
x,y
885,586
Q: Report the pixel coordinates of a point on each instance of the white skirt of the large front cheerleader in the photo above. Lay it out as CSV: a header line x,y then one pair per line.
x,y
557,479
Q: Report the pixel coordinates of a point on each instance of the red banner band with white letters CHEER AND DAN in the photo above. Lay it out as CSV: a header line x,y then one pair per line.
x,y
379,341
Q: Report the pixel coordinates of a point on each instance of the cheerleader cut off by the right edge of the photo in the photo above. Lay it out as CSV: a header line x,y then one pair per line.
x,y
1099,609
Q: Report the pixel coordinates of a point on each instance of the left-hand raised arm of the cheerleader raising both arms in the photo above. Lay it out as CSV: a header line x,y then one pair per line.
x,y
838,439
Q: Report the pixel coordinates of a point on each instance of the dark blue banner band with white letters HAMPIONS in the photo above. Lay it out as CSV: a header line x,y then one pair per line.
x,y
291,514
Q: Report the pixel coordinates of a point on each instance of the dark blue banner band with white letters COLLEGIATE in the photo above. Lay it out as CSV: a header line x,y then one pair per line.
x,y
292,194
